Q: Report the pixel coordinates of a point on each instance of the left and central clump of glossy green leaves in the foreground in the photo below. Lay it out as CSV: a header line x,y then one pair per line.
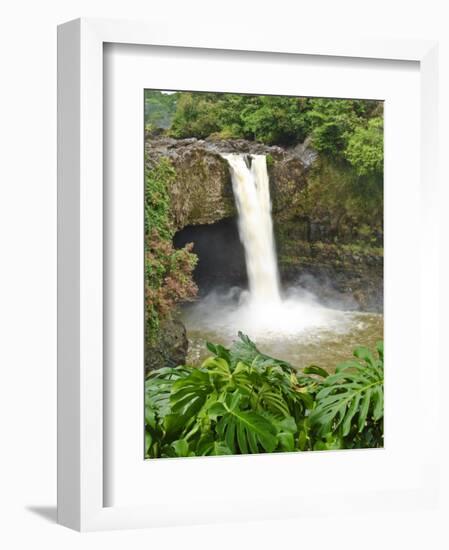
x,y
238,401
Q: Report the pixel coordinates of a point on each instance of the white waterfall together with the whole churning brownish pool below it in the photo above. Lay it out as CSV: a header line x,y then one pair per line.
x,y
296,326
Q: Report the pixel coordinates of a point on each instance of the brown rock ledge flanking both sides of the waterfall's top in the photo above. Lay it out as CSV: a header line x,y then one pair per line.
x,y
202,191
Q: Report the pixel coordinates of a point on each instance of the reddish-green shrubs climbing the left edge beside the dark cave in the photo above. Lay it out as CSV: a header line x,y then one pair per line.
x,y
168,271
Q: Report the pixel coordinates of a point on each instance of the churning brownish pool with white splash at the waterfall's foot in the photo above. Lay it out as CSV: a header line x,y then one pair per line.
x,y
301,331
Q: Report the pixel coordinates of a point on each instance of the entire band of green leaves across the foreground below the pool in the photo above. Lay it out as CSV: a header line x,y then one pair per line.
x,y
242,401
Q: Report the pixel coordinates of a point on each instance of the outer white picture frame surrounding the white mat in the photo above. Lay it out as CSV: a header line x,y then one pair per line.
x,y
81,386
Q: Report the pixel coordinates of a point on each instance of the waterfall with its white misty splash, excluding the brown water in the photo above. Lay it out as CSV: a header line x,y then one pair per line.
x,y
260,313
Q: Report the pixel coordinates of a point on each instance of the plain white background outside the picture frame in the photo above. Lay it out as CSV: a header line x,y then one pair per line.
x,y
28,270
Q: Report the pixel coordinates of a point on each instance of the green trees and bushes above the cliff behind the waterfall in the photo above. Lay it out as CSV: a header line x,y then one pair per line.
x,y
342,129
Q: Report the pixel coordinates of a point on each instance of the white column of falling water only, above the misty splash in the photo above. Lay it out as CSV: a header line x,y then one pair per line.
x,y
251,189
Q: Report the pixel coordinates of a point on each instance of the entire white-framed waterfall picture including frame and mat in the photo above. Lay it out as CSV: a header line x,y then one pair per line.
x,y
236,261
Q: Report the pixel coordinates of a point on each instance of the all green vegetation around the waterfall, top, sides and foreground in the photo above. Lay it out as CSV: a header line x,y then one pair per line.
x,y
240,400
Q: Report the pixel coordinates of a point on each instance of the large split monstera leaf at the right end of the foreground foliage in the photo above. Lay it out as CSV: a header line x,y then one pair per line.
x,y
352,395
